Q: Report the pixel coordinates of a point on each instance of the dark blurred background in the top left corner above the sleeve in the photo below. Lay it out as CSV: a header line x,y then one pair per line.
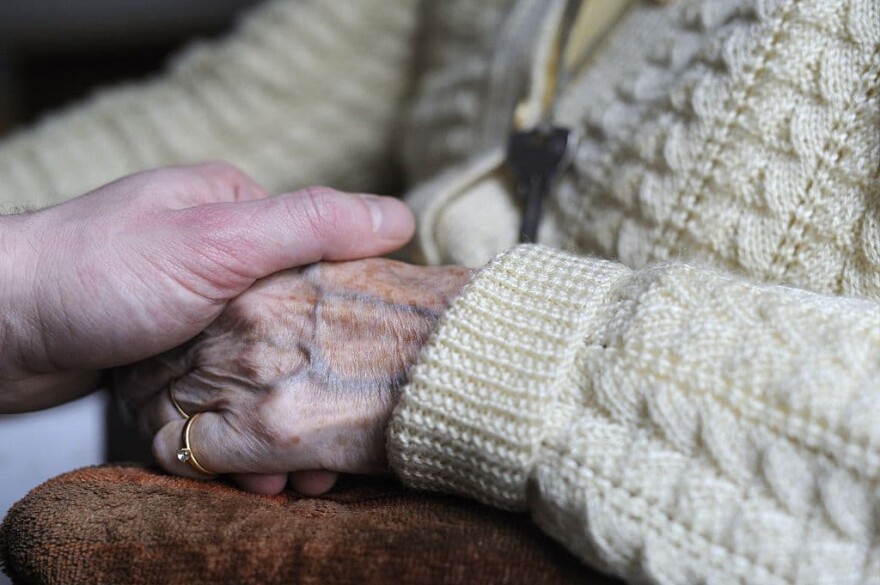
x,y
53,52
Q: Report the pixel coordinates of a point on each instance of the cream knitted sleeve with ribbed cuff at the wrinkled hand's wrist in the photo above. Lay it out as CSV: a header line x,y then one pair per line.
x,y
669,425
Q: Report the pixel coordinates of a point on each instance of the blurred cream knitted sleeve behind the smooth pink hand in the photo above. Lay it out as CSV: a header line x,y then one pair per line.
x,y
303,92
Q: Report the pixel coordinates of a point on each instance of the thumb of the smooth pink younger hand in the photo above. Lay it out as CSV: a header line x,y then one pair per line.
x,y
254,239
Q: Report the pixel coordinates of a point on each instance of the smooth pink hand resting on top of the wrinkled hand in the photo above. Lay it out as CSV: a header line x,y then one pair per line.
x,y
145,263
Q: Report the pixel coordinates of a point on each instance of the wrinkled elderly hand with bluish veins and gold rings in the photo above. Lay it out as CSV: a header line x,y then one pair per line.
x,y
299,373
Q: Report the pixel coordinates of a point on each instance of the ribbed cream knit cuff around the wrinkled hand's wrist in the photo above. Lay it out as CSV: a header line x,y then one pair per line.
x,y
473,417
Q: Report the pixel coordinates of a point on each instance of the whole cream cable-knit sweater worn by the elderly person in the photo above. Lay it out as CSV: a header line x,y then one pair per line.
x,y
706,409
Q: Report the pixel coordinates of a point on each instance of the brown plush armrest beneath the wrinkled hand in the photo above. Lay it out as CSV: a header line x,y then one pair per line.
x,y
120,524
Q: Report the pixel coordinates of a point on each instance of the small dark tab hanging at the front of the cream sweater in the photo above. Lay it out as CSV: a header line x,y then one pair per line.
x,y
536,158
